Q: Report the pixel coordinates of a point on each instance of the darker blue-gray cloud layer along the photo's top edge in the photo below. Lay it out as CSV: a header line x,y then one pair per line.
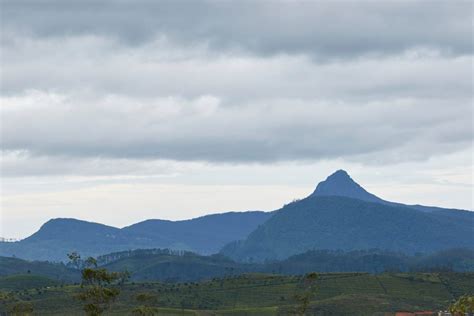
x,y
323,30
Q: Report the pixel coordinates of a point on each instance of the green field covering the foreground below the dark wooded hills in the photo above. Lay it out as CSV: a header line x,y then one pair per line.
x,y
257,294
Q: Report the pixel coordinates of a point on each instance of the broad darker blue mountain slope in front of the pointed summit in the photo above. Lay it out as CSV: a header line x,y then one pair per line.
x,y
336,222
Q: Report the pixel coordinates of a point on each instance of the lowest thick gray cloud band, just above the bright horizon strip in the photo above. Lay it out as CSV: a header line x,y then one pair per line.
x,y
205,129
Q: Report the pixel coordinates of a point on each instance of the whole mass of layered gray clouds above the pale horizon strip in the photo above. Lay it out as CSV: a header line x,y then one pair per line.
x,y
227,83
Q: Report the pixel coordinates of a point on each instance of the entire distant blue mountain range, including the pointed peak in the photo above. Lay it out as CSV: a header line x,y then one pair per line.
x,y
338,215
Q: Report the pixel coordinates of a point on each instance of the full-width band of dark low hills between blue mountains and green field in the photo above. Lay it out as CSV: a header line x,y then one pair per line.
x,y
172,266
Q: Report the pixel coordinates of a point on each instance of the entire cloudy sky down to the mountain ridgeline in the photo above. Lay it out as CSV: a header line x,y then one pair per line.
x,y
120,111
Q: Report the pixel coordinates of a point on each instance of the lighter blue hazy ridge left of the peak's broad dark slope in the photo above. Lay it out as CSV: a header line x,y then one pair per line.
x,y
204,235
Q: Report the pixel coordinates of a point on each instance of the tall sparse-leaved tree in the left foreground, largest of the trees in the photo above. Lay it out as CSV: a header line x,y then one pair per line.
x,y
98,290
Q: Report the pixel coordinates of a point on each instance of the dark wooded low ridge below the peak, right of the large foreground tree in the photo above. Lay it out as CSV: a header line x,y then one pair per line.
x,y
191,267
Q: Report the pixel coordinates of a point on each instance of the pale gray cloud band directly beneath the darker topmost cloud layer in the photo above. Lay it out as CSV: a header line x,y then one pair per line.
x,y
98,65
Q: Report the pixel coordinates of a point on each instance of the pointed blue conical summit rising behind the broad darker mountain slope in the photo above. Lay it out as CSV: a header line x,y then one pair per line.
x,y
341,184
